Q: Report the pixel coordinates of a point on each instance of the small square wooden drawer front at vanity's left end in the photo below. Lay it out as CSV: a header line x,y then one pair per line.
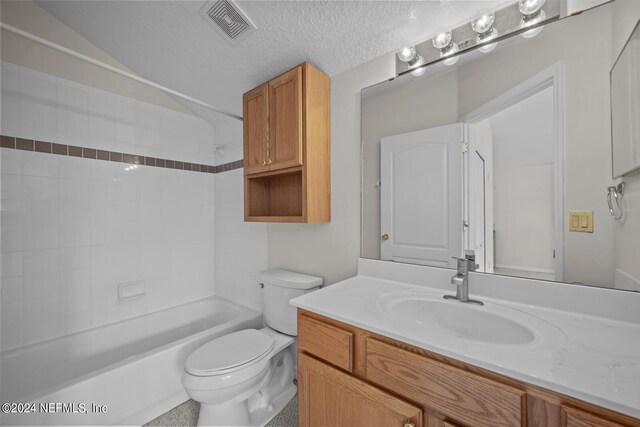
x,y
328,342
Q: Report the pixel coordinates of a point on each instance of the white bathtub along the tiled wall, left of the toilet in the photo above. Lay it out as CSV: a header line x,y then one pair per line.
x,y
123,373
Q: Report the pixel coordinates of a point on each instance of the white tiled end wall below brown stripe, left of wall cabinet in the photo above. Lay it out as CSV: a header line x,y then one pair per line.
x,y
240,247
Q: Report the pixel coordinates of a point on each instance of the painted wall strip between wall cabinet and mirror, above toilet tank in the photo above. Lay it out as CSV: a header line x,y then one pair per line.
x,y
331,250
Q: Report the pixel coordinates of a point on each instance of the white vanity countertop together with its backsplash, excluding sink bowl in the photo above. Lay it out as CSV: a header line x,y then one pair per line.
x,y
591,354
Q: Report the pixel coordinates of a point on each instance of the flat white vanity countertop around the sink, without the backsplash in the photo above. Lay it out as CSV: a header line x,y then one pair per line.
x,y
592,358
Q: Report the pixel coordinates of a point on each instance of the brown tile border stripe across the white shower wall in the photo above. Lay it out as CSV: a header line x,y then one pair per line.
x,y
112,156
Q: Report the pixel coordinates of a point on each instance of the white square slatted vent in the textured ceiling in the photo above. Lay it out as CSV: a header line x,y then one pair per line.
x,y
229,19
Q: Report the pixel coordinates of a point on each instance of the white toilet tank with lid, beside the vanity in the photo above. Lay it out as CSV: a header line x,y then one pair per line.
x,y
280,286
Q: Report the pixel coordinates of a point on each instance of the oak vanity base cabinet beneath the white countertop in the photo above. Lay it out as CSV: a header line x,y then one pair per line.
x,y
391,383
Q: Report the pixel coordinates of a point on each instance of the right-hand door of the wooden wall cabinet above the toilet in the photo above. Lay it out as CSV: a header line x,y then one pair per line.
x,y
285,120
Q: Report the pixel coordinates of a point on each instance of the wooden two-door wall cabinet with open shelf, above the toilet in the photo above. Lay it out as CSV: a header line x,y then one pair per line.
x,y
287,160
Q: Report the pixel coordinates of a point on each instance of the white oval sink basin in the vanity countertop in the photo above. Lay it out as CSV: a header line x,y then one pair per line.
x,y
492,324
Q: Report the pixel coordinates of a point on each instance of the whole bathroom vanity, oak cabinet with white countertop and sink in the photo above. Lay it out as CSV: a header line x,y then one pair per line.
x,y
384,348
